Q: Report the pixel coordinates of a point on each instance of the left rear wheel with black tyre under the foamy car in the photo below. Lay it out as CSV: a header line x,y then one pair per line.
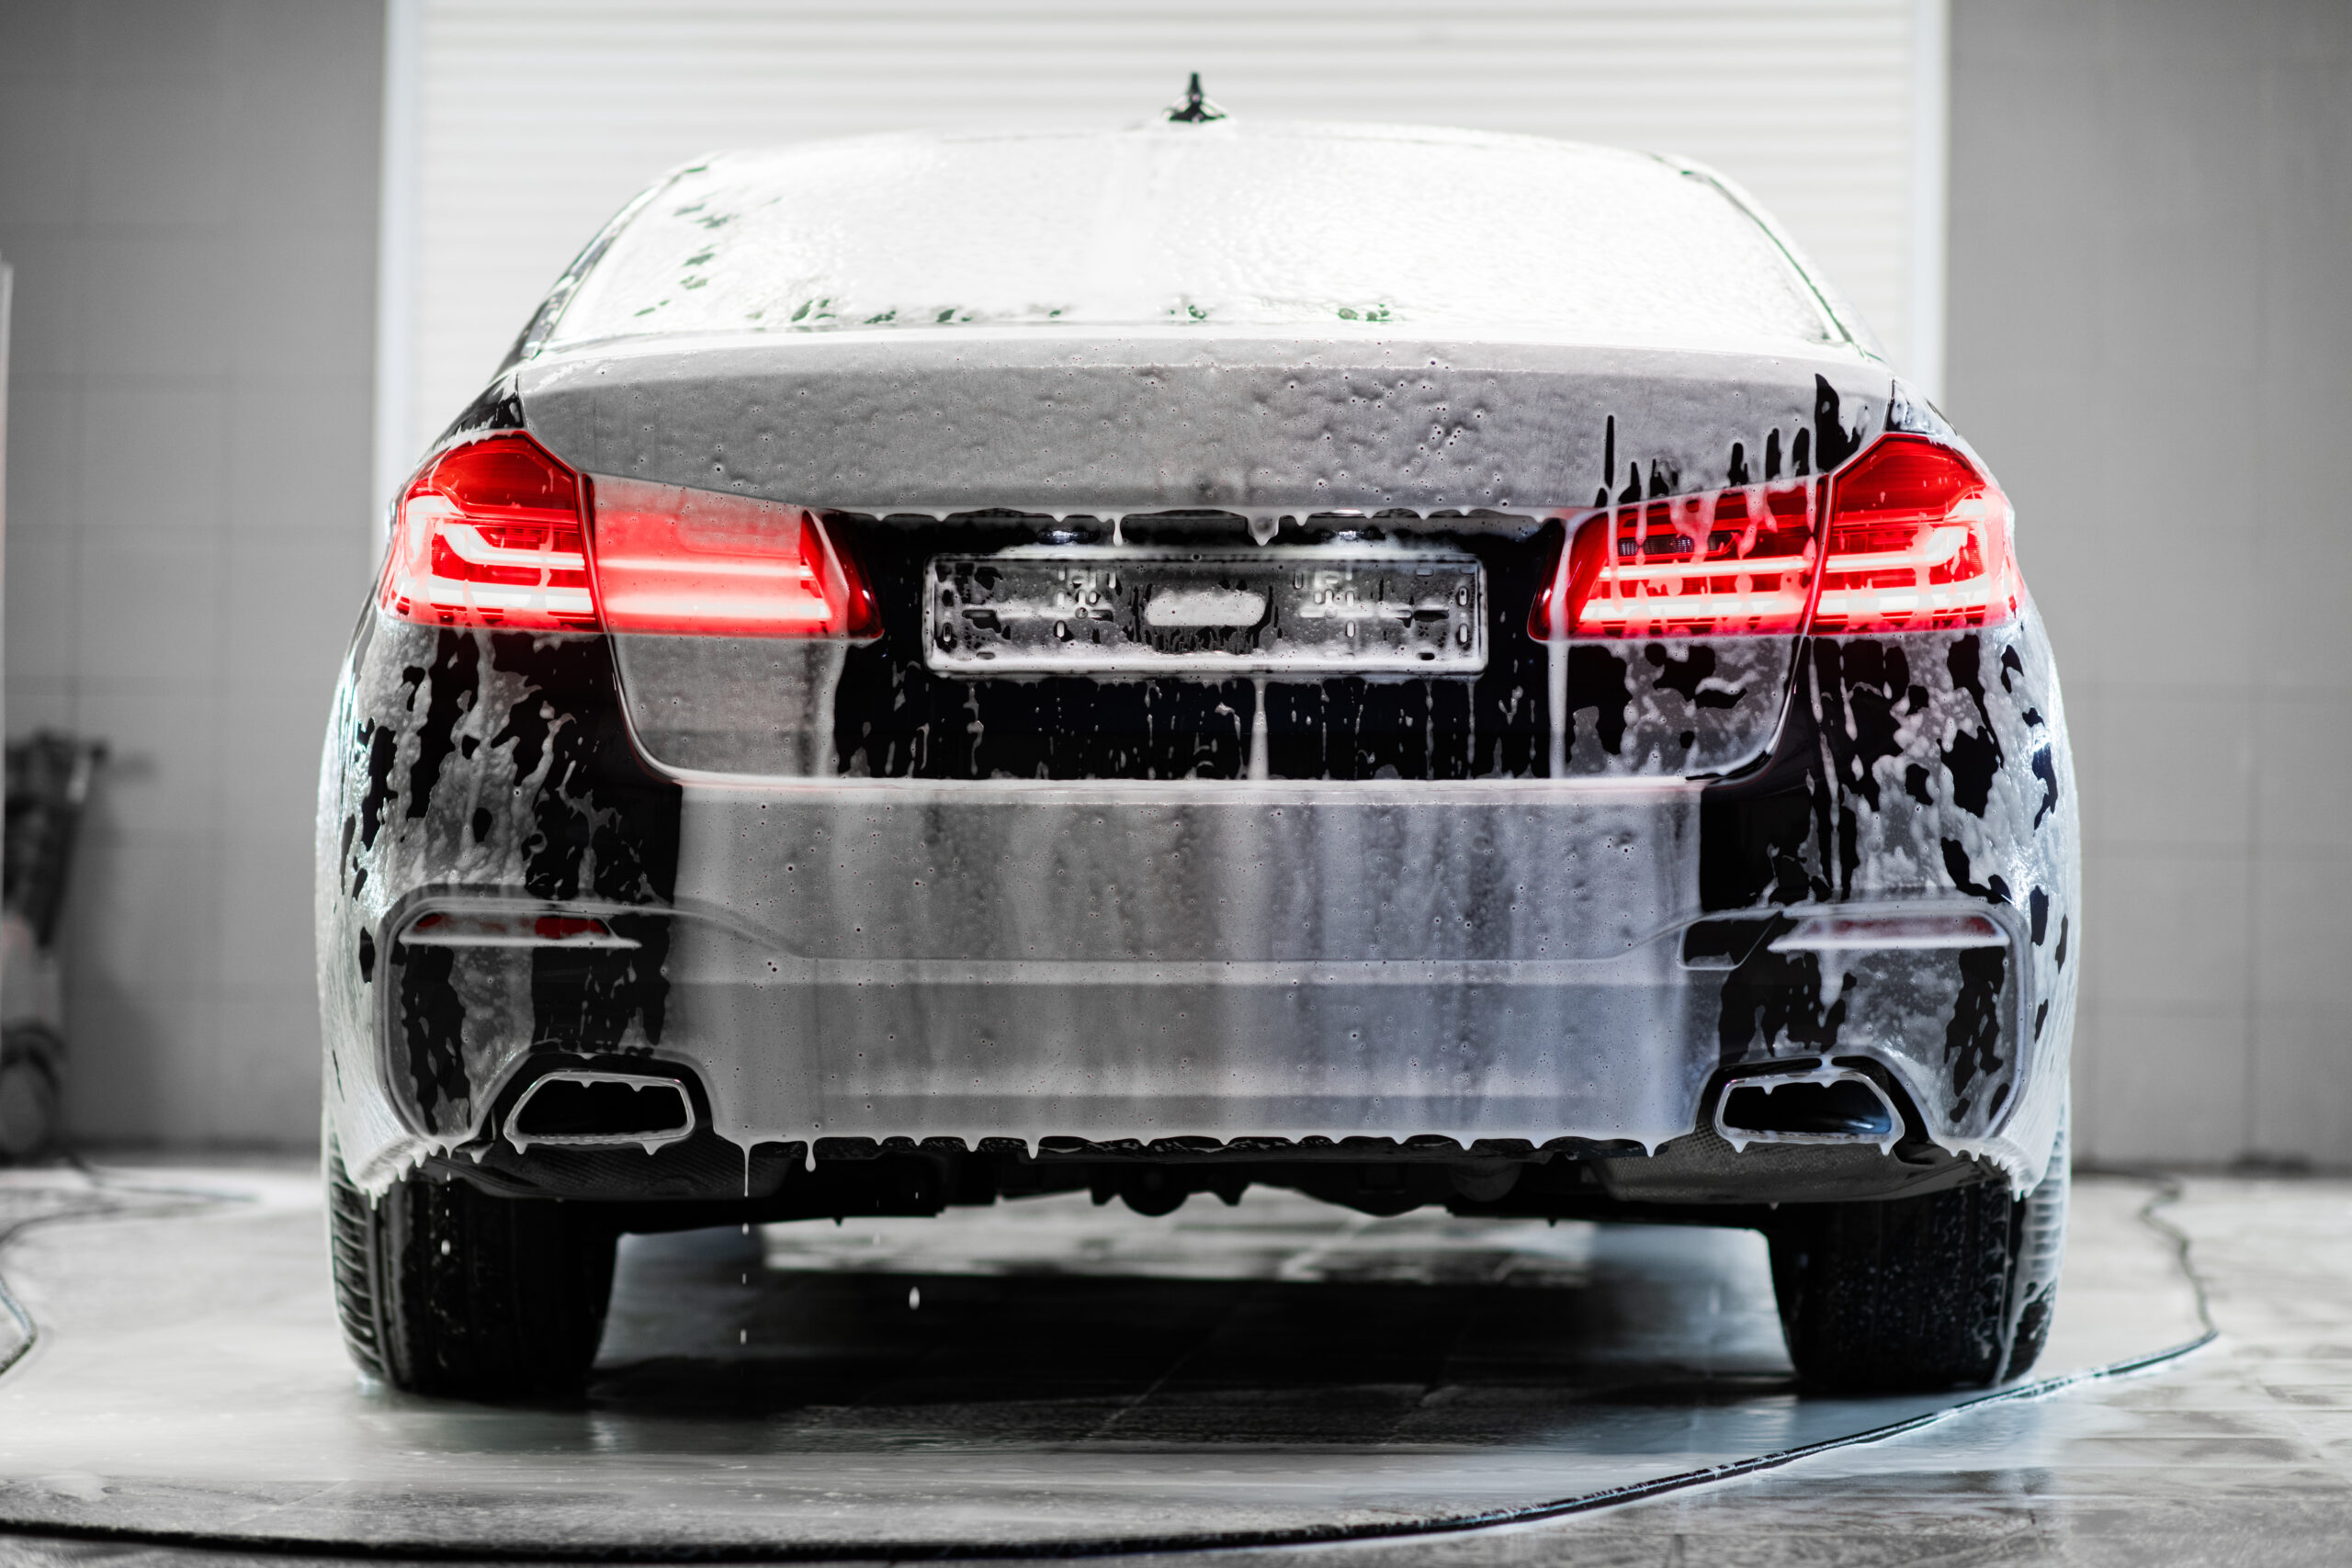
x,y
453,1292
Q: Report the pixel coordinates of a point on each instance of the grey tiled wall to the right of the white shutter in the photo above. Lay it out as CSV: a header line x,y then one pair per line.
x,y
2151,340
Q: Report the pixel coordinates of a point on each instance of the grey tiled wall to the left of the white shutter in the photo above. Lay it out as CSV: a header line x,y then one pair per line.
x,y
189,196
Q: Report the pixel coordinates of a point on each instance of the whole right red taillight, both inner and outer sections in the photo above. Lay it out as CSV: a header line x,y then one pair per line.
x,y
1918,540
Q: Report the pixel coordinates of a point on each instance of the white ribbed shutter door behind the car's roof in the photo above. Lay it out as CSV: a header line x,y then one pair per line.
x,y
542,116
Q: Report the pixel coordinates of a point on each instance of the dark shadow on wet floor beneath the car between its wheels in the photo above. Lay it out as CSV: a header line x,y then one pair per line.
x,y
1466,1348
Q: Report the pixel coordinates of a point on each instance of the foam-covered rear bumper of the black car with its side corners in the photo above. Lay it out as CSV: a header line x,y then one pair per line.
x,y
1504,960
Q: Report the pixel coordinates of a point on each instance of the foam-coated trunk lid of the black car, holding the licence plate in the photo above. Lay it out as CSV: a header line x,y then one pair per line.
x,y
1064,535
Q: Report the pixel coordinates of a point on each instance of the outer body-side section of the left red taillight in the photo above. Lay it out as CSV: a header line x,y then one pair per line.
x,y
490,535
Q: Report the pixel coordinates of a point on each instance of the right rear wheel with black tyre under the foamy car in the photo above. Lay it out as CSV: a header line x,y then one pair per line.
x,y
1953,1289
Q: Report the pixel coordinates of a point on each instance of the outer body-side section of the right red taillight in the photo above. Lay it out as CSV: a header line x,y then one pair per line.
x,y
1918,542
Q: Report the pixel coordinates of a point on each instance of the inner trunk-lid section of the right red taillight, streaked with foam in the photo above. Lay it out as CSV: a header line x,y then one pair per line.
x,y
1730,565
